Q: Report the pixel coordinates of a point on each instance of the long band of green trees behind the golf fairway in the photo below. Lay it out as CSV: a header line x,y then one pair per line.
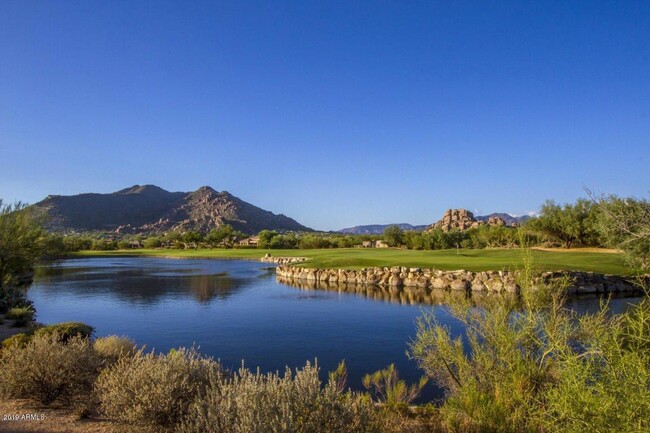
x,y
588,222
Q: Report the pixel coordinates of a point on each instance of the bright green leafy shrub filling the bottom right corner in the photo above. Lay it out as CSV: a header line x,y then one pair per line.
x,y
604,386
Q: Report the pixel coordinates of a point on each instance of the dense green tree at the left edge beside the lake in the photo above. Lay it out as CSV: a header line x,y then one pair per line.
x,y
21,241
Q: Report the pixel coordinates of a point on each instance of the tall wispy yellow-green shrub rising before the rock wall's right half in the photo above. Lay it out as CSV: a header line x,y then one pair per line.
x,y
497,373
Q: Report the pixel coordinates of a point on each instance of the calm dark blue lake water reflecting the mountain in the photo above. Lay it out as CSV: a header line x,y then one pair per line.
x,y
234,311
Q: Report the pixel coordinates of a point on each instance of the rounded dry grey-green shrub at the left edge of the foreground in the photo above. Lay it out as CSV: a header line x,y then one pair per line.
x,y
46,370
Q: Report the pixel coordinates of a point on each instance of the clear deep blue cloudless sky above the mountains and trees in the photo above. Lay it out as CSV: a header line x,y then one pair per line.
x,y
336,113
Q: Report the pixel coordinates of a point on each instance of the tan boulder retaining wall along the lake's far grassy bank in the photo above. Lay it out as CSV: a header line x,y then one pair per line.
x,y
487,281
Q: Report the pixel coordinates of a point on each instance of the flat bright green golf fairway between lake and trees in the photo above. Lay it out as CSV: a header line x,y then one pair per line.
x,y
355,258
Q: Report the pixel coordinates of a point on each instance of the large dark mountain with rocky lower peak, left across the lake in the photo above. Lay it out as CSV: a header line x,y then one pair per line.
x,y
151,209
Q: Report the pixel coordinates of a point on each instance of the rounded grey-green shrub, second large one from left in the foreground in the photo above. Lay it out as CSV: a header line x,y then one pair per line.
x,y
154,390
